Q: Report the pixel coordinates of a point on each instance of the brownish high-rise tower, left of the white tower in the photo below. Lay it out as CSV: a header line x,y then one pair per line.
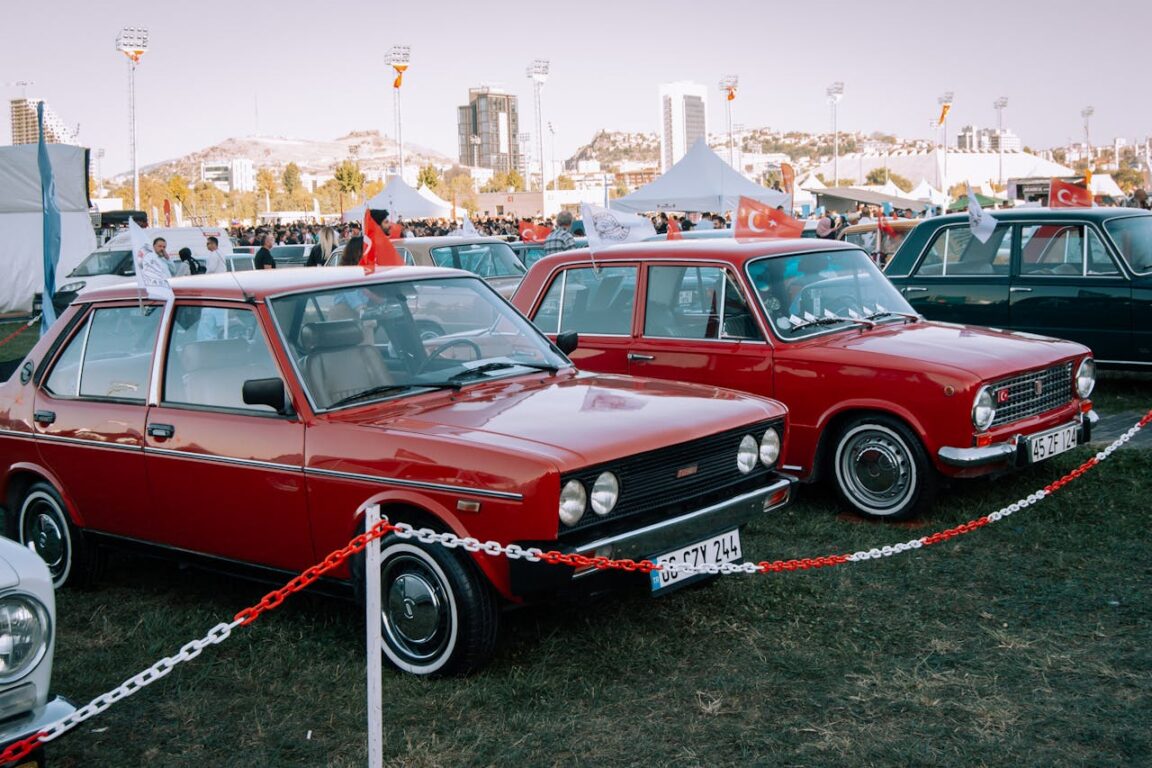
x,y
489,130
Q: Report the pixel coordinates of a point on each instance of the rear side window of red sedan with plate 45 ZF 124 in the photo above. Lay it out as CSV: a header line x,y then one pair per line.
x,y
589,301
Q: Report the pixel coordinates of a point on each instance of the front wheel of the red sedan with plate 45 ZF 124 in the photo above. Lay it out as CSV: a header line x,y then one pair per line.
x,y
882,469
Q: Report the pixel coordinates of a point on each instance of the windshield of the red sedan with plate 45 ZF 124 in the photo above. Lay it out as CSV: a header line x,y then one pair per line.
x,y
809,293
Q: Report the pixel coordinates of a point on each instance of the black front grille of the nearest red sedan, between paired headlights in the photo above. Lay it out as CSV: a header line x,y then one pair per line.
x,y
677,480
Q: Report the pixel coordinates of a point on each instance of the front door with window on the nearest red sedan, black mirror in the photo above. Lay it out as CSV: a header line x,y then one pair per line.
x,y
226,477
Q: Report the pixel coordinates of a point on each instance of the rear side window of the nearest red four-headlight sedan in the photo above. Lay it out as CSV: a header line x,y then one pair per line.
x,y
110,358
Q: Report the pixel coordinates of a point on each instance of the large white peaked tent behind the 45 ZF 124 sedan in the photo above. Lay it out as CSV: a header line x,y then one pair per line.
x,y
701,181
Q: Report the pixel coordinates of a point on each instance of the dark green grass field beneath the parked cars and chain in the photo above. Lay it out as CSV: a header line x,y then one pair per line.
x,y
1027,643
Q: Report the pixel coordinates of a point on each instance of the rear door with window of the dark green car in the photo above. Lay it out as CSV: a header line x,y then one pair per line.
x,y
959,279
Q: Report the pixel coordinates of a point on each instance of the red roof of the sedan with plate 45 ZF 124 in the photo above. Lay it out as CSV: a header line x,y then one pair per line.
x,y
726,249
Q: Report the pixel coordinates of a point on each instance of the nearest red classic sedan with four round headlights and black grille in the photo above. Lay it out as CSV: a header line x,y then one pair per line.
x,y
245,421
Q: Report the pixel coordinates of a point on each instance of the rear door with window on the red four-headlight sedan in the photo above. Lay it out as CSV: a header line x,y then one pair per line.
x,y
90,414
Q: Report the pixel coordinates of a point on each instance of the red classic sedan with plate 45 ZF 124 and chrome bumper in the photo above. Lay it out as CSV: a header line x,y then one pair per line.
x,y
880,400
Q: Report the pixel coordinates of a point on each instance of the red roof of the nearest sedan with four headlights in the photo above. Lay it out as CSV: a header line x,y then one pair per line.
x,y
263,284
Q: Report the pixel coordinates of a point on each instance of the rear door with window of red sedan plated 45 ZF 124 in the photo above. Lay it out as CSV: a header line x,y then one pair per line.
x,y
598,303
